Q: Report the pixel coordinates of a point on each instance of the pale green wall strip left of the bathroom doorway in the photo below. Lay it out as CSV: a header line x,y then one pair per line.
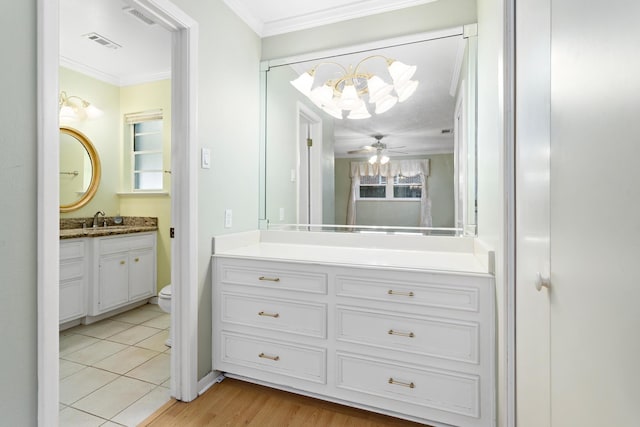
x,y
18,227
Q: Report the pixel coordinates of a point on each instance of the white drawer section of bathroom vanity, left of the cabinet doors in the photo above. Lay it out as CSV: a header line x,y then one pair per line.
x,y
73,279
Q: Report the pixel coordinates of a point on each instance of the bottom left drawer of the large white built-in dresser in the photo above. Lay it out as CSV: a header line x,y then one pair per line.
x,y
294,361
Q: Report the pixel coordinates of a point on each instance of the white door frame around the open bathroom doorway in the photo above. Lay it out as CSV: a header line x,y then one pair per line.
x,y
184,378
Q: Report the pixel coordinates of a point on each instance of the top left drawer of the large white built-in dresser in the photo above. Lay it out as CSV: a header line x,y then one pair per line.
x,y
272,276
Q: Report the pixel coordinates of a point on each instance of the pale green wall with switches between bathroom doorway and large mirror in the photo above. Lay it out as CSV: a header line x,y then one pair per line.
x,y
228,116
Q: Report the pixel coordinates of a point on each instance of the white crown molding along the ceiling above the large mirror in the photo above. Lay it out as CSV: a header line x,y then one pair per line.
x,y
356,9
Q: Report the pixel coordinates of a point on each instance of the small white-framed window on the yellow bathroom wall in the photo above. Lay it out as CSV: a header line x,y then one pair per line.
x,y
146,166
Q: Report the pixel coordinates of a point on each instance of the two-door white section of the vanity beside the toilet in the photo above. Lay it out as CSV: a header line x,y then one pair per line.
x,y
124,271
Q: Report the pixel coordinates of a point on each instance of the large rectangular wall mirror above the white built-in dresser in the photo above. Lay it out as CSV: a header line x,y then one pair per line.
x,y
320,169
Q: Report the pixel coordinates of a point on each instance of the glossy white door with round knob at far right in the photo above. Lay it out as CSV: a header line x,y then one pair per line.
x,y
594,204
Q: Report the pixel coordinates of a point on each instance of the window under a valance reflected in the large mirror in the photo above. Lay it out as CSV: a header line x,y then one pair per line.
x,y
399,187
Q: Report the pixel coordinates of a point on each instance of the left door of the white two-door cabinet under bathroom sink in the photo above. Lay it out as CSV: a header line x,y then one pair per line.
x,y
113,282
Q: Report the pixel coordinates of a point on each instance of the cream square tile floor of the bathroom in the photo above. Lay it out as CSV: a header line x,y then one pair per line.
x,y
115,372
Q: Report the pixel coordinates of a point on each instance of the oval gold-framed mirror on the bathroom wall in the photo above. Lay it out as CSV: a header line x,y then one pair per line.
x,y
79,169
